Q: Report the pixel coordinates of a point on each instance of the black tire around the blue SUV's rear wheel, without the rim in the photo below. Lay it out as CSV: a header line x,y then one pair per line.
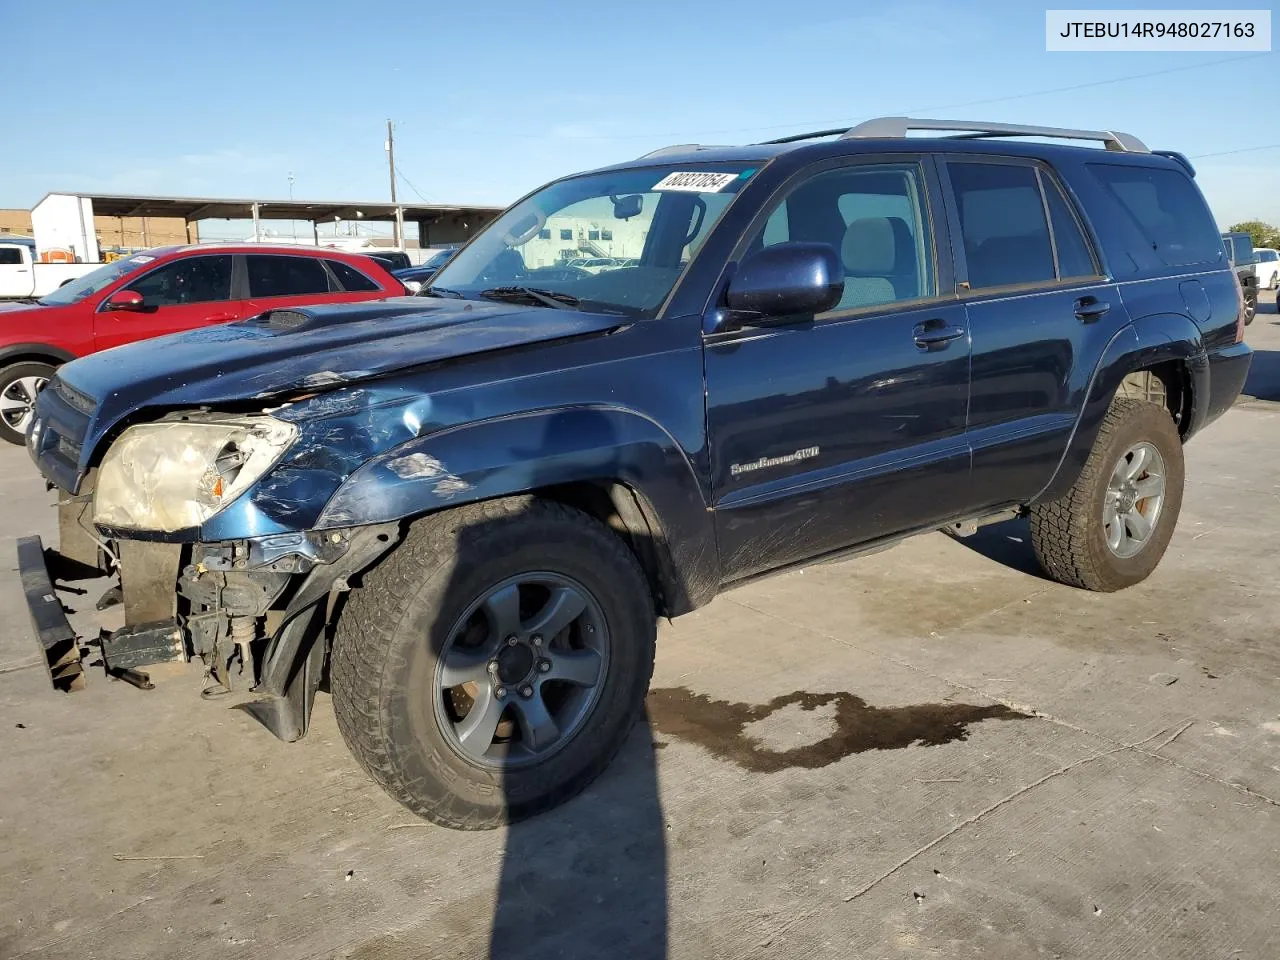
x,y
1068,534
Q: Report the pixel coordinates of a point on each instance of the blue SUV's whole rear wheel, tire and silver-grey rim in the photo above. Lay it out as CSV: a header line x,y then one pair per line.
x,y
1114,525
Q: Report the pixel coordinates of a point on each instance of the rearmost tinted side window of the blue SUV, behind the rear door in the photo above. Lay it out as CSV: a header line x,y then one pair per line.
x,y
1167,209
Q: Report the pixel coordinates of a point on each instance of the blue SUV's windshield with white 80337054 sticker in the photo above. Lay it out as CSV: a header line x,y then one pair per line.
x,y
615,243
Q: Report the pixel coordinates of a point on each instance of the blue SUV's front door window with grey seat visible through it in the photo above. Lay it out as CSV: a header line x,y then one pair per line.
x,y
872,217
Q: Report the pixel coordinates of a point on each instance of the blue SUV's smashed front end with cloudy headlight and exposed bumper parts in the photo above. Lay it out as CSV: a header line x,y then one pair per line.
x,y
254,610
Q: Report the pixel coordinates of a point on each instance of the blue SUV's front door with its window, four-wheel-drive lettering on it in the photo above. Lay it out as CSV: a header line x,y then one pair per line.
x,y
848,427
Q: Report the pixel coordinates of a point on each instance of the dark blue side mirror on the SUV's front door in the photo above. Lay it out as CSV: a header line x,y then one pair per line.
x,y
787,280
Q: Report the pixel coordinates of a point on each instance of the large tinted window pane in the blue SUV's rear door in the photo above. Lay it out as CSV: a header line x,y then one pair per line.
x,y
1003,225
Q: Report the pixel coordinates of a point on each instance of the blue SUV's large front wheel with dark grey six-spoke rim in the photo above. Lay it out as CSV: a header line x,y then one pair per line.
x,y
496,662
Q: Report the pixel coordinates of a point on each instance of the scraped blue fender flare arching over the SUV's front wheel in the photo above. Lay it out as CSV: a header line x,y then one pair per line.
x,y
525,452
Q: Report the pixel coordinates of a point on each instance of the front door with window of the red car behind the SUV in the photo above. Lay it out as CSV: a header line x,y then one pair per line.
x,y
180,295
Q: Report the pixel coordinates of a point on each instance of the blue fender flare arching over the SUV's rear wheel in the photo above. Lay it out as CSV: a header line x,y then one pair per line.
x,y
1142,344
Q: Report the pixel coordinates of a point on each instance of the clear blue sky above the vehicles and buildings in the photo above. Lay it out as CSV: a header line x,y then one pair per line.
x,y
492,99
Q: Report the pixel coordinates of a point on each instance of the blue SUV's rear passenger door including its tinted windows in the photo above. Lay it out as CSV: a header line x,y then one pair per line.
x,y
1040,314
